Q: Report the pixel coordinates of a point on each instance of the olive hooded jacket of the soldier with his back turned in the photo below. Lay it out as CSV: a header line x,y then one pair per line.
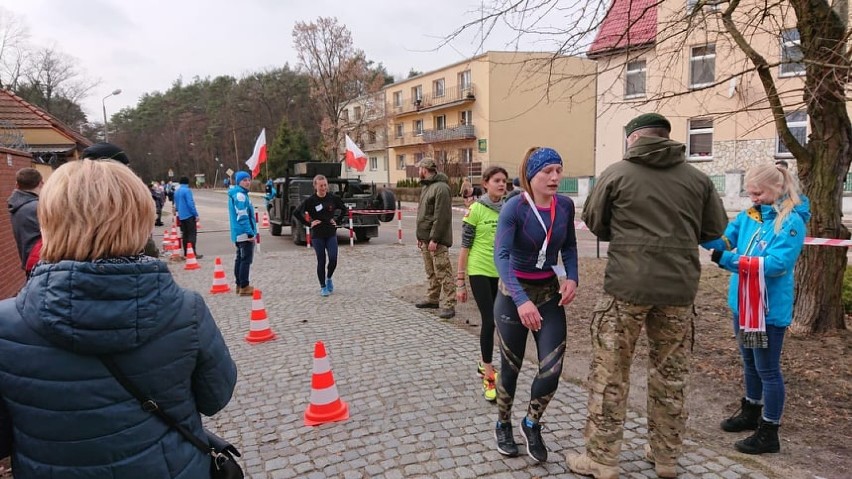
x,y
654,209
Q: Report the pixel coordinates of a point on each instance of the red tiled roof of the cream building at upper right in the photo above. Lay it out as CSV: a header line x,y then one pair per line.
x,y
628,23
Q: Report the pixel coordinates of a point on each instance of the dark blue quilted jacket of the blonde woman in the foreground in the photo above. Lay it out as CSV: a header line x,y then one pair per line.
x,y
71,418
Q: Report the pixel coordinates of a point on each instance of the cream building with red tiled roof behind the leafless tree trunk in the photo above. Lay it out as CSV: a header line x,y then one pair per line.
x,y
699,79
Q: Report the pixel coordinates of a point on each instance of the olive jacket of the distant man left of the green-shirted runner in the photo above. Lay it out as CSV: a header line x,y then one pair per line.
x,y
435,211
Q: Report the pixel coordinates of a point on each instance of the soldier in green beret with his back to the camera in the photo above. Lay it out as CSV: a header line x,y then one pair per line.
x,y
651,280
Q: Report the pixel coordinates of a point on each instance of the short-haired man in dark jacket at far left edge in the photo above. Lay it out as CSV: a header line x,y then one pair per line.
x,y
23,205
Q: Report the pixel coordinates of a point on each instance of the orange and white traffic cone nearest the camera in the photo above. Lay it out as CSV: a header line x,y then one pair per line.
x,y
326,405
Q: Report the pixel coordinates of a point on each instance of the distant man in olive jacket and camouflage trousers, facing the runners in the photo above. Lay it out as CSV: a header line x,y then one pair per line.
x,y
434,233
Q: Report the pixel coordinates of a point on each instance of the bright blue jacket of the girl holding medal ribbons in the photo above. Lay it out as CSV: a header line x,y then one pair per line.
x,y
752,233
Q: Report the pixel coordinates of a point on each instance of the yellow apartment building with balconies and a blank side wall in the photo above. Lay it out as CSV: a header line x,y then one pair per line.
x,y
488,110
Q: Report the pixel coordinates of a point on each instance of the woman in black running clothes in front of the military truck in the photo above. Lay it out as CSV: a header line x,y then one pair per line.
x,y
323,212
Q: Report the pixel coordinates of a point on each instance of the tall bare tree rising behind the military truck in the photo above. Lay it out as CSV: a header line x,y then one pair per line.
x,y
338,72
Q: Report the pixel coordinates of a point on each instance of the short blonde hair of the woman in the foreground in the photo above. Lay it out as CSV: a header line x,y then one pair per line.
x,y
93,209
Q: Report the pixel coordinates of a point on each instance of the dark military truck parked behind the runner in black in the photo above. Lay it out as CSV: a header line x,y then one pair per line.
x,y
356,195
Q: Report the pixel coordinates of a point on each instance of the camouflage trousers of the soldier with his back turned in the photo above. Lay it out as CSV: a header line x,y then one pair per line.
x,y
615,327
